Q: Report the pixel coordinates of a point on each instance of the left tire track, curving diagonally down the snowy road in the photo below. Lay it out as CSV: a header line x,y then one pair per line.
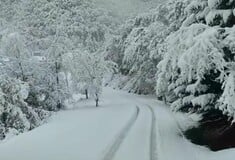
x,y
121,136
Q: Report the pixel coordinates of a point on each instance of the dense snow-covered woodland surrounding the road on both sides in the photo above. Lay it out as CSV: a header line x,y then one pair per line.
x,y
180,50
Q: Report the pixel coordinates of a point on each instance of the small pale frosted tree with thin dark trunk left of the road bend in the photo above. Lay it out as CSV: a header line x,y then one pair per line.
x,y
88,70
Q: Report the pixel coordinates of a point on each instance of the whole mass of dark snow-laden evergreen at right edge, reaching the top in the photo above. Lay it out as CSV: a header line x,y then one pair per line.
x,y
196,73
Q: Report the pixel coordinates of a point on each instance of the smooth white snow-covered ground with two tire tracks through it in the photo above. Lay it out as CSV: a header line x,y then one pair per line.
x,y
124,127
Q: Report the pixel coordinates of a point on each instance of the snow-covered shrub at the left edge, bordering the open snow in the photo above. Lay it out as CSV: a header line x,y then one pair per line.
x,y
15,113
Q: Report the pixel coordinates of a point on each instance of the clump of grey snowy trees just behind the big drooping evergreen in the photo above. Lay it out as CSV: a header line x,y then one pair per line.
x,y
137,49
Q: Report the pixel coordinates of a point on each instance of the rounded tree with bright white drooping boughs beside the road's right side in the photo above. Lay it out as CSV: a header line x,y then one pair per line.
x,y
194,56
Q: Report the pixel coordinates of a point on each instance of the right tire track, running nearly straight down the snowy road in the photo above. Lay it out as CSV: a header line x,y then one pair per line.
x,y
153,137
